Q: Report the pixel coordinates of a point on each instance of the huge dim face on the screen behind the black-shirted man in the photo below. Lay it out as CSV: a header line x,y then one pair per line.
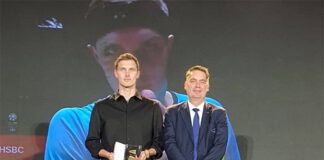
x,y
150,48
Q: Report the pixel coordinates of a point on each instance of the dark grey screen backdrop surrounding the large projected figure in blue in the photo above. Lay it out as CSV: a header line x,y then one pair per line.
x,y
265,59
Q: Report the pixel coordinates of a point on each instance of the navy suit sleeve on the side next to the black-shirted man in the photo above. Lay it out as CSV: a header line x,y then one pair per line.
x,y
171,148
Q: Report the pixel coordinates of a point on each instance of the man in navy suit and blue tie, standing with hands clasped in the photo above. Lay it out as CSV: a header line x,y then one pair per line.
x,y
195,129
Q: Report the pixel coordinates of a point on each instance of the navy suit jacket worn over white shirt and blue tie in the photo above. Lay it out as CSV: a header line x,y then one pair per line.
x,y
178,141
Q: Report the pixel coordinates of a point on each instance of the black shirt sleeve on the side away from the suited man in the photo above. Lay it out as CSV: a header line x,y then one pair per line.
x,y
93,139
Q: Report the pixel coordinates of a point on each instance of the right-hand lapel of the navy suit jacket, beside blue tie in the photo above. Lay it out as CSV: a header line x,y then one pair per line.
x,y
204,122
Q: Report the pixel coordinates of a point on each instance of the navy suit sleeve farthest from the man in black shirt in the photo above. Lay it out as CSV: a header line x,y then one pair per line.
x,y
219,146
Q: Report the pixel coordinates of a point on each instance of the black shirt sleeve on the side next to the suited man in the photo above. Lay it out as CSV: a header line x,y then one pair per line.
x,y
157,131
